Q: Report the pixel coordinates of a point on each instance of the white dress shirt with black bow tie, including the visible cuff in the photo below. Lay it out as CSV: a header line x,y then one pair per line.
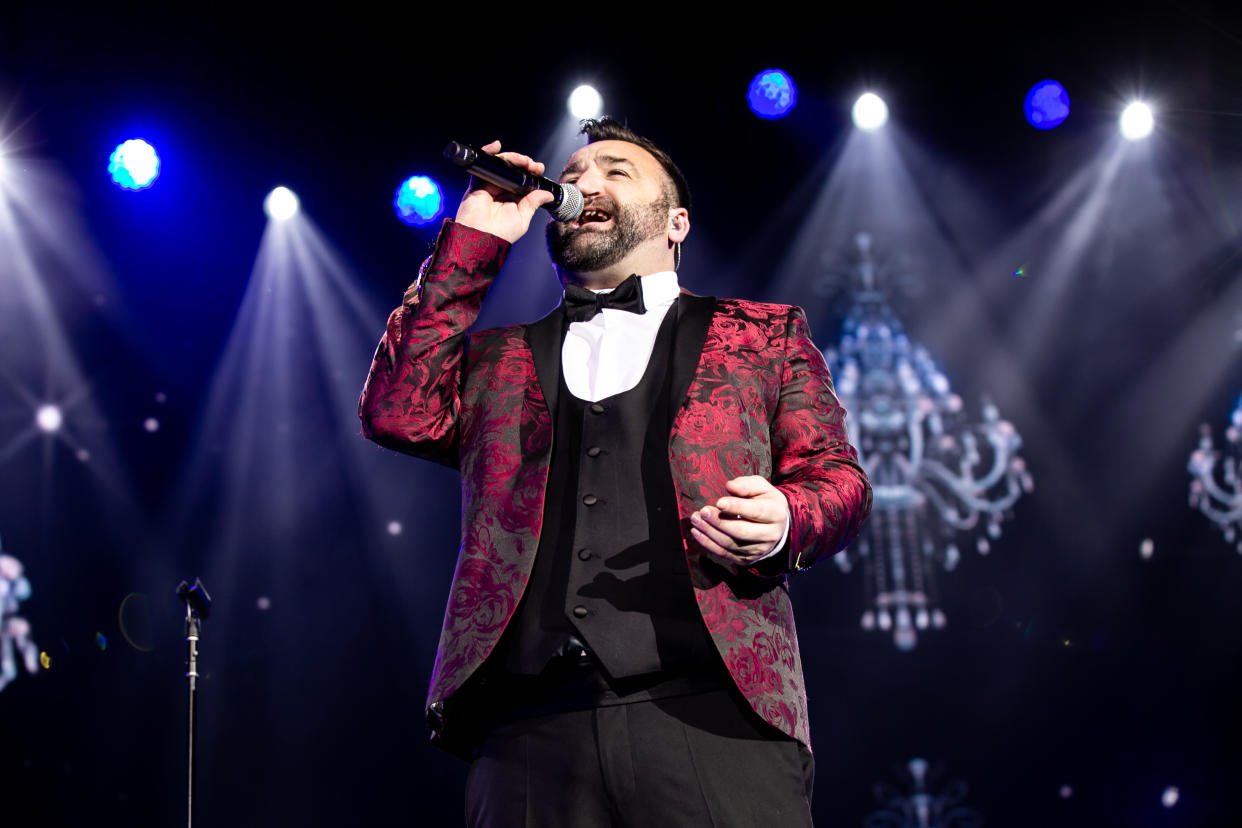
x,y
609,353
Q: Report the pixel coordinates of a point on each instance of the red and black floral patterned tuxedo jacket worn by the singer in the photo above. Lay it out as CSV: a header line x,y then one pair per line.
x,y
759,402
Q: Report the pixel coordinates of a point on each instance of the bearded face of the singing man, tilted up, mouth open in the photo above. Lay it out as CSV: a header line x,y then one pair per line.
x,y
627,204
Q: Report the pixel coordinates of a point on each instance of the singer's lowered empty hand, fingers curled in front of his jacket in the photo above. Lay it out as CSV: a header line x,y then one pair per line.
x,y
745,528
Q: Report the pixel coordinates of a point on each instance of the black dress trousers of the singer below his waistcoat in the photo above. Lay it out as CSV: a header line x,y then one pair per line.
x,y
682,763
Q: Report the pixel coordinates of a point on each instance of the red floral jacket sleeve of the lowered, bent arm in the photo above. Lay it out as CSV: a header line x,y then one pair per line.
x,y
814,464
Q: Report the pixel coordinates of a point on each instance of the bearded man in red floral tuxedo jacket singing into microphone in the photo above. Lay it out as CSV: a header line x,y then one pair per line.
x,y
641,470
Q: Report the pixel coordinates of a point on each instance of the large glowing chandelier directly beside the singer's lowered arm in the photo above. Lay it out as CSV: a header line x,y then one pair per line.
x,y
938,479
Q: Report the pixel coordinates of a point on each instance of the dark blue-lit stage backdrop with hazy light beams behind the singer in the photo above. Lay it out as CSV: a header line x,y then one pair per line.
x,y
1121,340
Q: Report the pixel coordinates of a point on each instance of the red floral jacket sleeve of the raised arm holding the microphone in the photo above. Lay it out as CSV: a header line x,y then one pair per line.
x,y
412,400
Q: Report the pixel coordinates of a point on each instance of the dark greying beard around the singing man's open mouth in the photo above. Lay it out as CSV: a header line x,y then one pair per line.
x,y
583,250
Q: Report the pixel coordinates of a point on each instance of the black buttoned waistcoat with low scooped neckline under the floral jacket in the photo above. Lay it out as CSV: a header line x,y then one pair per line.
x,y
612,568
